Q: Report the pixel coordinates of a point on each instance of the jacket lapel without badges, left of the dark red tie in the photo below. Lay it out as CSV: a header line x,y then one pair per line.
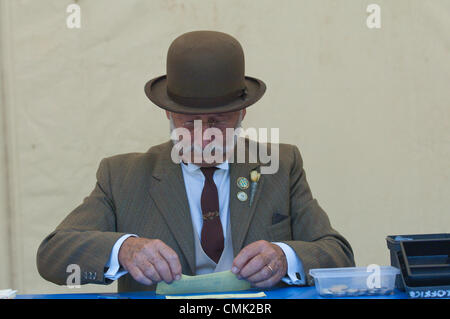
x,y
168,191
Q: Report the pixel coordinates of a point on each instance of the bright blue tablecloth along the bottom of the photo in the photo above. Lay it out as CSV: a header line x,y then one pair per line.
x,y
278,293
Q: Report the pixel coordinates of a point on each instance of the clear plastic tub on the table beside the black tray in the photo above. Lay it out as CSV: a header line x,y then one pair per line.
x,y
355,281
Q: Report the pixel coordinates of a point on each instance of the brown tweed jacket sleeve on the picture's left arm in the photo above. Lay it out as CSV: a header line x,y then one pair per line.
x,y
84,239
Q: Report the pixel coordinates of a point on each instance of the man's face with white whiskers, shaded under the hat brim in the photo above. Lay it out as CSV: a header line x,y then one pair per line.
x,y
216,121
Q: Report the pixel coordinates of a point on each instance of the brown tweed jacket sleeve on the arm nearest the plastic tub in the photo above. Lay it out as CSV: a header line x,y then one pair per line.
x,y
315,242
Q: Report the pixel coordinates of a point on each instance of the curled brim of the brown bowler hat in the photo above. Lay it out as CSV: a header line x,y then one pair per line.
x,y
156,91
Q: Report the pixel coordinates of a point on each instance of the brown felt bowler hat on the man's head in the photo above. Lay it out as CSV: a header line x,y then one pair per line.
x,y
205,74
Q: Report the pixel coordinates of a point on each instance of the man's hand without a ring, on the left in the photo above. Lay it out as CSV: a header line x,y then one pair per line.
x,y
149,261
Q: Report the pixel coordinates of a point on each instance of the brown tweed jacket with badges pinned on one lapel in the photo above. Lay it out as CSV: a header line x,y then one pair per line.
x,y
144,194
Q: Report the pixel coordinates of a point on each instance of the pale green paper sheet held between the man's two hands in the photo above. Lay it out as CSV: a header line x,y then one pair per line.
x,y
214,282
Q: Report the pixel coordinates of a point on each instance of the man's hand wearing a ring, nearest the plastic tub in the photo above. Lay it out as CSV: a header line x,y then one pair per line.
x,y
261,263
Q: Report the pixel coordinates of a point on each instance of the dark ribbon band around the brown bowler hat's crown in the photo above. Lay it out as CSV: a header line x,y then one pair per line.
x,y
208,101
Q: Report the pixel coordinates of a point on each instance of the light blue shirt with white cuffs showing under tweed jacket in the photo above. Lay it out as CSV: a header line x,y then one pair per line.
x,y
194,181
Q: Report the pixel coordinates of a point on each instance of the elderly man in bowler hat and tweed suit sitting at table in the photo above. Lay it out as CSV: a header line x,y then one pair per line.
x,y
153,216
